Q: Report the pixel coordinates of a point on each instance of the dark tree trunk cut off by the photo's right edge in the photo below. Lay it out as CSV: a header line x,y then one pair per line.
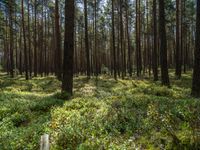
x,y
196,73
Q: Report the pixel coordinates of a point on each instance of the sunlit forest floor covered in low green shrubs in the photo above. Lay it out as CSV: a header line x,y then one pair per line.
x,y
102,114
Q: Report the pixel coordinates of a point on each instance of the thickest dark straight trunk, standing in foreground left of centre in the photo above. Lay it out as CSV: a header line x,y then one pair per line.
x,y
67,83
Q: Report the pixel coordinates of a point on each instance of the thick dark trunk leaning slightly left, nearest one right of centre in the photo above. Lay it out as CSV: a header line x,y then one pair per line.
x,y
163,45
